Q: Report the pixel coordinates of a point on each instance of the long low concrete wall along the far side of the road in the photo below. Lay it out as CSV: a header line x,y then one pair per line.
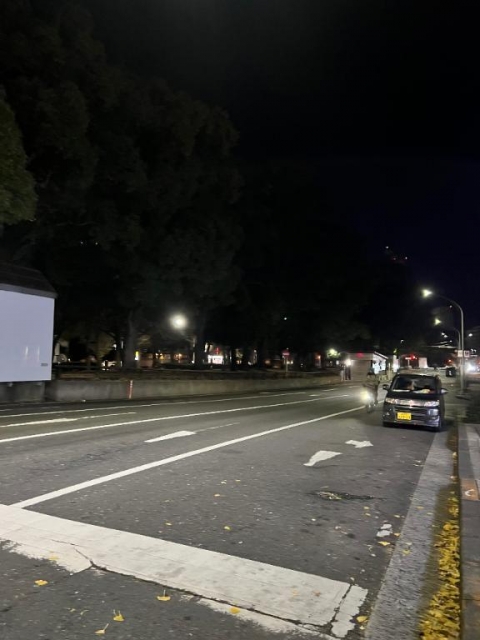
x,y
88,390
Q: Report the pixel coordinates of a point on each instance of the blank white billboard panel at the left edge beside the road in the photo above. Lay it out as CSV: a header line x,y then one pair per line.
x,y
26,337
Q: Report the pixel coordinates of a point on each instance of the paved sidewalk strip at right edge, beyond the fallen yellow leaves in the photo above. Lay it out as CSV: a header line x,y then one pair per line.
x,y
469,477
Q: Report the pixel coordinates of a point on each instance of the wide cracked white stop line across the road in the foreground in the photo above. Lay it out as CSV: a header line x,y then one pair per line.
x,y
271,590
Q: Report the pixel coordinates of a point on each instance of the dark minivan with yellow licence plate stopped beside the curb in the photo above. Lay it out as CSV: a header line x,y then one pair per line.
x,y
414,399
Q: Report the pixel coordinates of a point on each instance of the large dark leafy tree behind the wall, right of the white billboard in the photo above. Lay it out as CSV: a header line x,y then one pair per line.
x,y
137,189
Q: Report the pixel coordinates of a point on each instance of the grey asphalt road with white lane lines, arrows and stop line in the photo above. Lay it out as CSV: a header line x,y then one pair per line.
x,y
268,515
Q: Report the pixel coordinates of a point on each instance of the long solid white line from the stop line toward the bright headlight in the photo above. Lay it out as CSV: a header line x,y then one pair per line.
x,y
182,456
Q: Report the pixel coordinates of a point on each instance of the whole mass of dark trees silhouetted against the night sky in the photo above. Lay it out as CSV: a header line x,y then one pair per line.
x,y
132,199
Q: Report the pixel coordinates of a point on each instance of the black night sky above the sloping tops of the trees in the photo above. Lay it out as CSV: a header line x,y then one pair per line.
x,y
378,99
